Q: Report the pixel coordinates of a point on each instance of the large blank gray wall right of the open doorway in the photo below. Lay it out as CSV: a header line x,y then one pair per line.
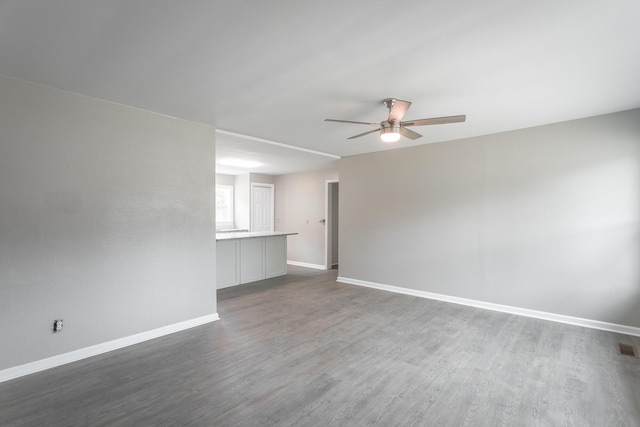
x,y
545,218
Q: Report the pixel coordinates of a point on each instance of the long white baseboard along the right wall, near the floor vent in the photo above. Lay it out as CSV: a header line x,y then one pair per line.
x,y
577,321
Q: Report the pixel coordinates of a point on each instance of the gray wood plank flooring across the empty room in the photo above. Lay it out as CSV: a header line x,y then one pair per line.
x,y
304,350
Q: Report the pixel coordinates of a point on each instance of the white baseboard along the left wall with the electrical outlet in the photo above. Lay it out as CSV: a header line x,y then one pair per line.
x,y
83,353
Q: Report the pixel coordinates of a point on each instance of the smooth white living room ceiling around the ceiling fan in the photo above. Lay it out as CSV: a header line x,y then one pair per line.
x,y
274,70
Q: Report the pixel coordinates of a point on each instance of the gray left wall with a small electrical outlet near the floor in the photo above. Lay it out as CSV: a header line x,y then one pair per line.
x,y
106,221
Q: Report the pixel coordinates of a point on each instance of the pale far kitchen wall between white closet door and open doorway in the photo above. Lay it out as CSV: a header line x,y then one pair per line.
x,y
300,205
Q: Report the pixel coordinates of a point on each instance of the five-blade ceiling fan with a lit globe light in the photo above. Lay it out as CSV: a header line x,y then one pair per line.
x,y
392,128
